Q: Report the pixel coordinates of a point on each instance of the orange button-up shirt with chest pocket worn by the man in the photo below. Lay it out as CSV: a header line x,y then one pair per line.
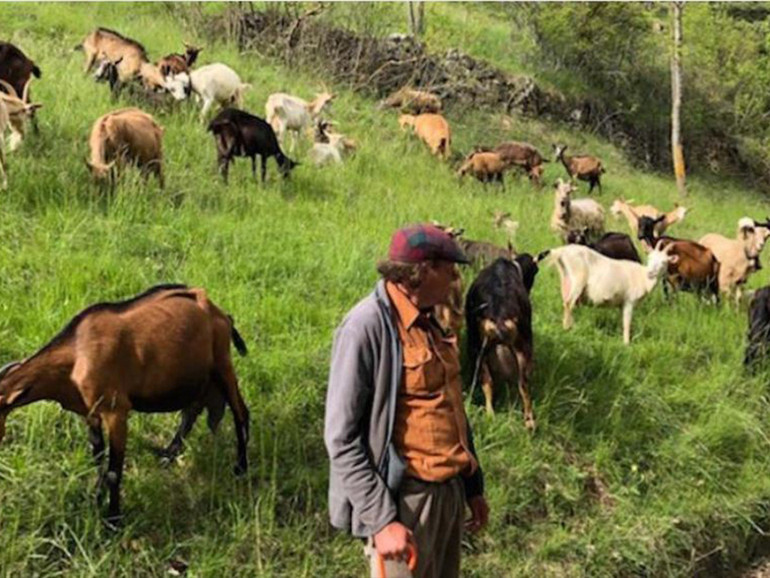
x,y
430,431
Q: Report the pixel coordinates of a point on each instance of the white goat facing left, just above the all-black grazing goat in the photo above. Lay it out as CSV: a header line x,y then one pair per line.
x,y
211,83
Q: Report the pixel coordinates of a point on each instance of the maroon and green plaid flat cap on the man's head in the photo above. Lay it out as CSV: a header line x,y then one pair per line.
x,y
423,243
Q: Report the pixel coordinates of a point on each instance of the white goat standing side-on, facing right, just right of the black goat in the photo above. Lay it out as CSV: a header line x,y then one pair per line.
x,y
588,275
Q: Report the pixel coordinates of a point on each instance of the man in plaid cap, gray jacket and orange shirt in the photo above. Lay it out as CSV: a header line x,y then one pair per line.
x,y
403,464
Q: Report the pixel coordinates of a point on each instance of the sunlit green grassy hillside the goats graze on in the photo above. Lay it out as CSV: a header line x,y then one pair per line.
x,y
648,460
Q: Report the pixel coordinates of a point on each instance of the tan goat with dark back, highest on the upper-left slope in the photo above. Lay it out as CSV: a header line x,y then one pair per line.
x,y
129,55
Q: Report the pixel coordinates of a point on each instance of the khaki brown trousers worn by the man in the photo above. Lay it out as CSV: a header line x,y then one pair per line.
x,y
435,512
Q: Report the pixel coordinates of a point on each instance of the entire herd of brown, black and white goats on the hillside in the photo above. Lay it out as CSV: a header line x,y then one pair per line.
x,y
168,349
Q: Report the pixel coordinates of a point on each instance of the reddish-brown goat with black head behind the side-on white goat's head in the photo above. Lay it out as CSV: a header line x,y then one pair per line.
x,y
693,267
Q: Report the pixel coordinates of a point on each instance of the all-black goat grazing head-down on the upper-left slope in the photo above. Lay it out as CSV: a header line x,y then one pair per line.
x,y
238,133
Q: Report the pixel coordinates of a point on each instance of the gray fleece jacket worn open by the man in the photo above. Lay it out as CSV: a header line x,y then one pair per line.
x,y
364,380
